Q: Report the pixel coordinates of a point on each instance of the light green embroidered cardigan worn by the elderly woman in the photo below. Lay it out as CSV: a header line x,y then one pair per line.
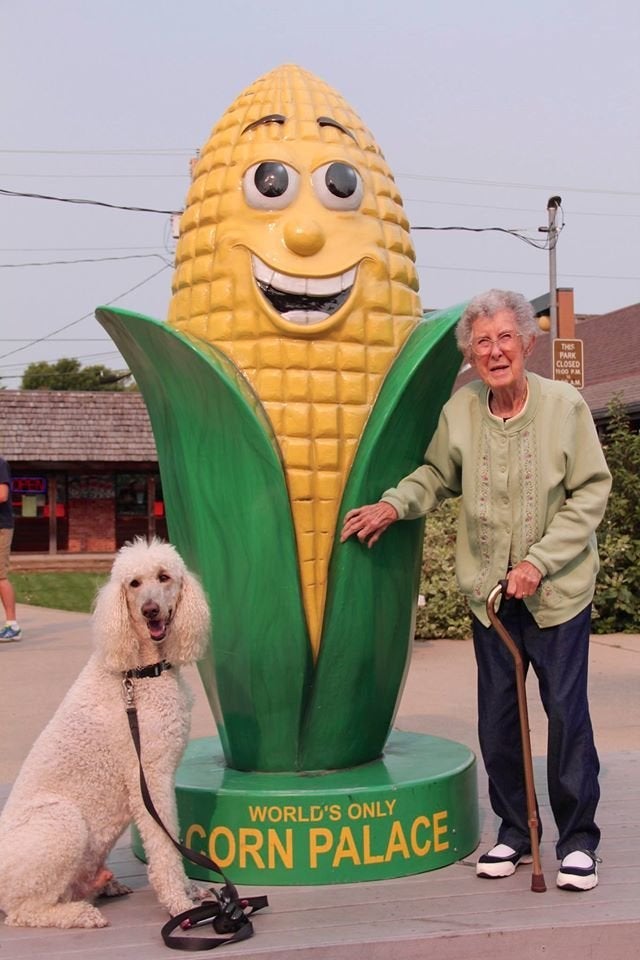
x,y
533,488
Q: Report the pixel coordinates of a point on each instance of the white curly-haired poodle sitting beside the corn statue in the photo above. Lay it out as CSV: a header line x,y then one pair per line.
x,y
79,787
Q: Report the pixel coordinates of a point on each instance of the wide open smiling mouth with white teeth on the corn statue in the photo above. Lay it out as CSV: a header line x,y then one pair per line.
x,y
305,301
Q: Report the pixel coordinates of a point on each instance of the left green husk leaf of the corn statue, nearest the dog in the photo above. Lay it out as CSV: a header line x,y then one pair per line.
x,y
229,515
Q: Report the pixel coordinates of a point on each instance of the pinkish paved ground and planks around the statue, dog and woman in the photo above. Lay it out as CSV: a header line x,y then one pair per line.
x,y
446,914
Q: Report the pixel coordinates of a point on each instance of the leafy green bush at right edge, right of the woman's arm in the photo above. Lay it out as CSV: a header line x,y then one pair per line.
x,y
616,608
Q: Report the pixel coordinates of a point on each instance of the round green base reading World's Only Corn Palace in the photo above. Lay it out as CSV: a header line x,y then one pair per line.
x,y
414,810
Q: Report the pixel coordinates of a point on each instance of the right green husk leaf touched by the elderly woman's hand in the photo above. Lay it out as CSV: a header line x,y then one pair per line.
x,y
372,593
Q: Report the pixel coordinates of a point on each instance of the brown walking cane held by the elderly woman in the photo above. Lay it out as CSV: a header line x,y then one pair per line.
x,y
537,878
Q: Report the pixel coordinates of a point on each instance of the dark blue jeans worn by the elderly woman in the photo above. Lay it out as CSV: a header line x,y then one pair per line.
x,y
559,656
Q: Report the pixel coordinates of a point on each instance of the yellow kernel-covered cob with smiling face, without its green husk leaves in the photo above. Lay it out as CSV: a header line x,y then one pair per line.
x,y
295,260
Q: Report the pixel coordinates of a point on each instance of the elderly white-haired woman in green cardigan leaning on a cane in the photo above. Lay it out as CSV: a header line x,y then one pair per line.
x,y
523,453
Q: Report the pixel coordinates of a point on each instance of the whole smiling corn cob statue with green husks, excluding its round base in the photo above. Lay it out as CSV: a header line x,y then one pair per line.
x,y
295,286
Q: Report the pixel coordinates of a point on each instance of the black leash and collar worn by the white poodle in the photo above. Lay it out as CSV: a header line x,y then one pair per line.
x,y
229,913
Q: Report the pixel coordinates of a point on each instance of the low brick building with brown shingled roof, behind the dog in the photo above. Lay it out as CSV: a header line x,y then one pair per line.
x,y
84,468
